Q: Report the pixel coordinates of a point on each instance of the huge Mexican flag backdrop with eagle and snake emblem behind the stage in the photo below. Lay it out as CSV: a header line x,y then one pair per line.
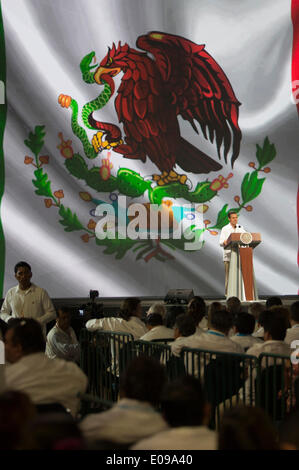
x,y
158,102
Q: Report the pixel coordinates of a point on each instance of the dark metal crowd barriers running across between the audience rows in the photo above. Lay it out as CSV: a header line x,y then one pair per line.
x,y
267,381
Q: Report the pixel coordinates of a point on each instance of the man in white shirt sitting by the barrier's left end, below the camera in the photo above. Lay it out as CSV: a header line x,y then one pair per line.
x,y
62,342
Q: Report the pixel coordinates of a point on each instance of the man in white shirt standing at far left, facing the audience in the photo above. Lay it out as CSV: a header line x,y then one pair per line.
x,y
26,299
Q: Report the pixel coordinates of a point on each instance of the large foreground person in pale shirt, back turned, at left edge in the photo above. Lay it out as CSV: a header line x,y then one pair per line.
x,y
31,371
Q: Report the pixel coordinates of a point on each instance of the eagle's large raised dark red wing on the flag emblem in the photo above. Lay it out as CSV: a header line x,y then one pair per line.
x,y
198,87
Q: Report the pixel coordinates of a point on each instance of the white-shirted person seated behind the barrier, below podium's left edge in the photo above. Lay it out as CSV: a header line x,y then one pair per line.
x,y
216,338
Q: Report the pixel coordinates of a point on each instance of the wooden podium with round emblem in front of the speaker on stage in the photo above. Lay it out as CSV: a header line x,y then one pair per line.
x,y
241,281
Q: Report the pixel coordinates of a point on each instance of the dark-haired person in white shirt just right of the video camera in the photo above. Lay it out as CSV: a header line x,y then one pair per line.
x,y
128,320
